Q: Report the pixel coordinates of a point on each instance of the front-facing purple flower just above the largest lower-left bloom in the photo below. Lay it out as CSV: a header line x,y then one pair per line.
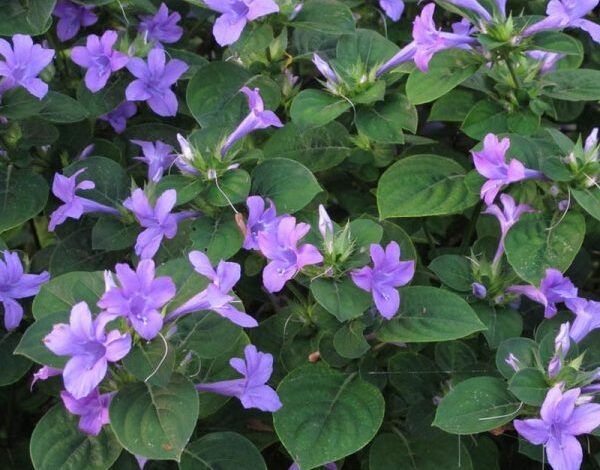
x,y
139,298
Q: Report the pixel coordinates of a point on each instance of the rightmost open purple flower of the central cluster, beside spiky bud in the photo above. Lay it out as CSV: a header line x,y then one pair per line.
x,y
387,273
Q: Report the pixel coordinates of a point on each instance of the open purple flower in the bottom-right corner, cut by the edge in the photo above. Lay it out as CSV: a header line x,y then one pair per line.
x,y
560,422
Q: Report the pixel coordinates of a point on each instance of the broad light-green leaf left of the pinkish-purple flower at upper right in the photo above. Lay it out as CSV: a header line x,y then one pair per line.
x,y
423,185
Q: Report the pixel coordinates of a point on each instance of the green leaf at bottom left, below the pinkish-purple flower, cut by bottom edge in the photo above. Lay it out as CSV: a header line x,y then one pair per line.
x,y
57,443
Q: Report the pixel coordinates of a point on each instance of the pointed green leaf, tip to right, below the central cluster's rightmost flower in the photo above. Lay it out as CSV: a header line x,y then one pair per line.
x,y
429,314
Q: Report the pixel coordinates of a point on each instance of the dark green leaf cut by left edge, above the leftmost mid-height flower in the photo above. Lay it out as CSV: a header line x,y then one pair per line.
x,y
23,194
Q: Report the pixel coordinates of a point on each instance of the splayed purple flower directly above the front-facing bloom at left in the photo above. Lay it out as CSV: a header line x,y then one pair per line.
x,y
158,220
